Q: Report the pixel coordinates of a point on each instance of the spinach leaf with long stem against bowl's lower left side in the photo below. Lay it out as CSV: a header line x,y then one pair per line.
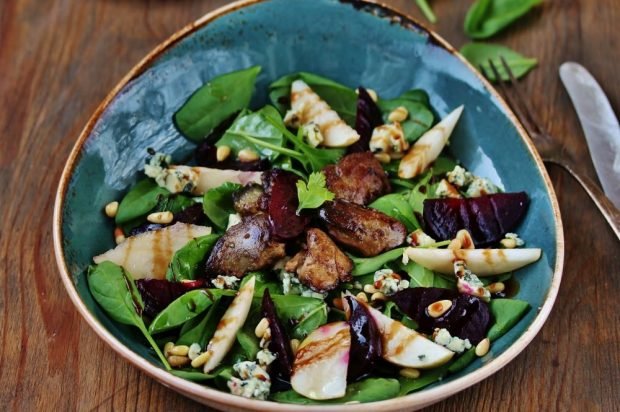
x,y
115,291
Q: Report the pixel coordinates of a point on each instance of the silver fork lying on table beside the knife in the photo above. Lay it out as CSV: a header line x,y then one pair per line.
x,y
550,150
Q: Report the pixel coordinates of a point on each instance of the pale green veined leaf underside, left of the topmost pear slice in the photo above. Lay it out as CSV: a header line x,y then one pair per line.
x,y
252,131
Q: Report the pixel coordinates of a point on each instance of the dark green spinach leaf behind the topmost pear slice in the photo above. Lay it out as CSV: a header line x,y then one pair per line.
x,y
339,97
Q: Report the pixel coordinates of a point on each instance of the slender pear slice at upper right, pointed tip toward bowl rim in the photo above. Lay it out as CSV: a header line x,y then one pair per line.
x,y
428,147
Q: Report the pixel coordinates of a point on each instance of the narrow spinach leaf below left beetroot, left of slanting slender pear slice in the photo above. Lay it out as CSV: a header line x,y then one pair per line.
x,y
184,308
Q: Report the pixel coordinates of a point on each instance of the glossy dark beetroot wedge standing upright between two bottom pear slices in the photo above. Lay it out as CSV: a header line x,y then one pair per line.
x,y
366,346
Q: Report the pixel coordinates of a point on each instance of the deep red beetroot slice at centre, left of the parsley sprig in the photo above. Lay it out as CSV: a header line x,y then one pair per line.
x,y
282,205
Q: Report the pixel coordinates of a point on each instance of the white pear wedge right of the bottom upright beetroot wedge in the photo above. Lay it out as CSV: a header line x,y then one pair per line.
x,y
405,347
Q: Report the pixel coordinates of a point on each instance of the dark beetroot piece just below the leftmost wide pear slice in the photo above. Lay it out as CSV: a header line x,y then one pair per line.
x,y
157,294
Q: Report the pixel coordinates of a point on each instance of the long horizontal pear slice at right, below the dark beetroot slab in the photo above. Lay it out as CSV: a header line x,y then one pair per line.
x,y
482,262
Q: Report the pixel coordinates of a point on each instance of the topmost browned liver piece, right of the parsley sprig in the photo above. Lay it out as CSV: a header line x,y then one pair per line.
x,y
358,178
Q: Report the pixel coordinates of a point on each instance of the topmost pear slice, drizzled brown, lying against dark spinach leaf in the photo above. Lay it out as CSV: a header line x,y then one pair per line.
x,y
310,108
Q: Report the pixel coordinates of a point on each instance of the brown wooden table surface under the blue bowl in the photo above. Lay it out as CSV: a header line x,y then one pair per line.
x,y
59,58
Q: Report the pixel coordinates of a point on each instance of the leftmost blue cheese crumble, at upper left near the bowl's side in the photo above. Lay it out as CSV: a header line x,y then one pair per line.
x,y
175,180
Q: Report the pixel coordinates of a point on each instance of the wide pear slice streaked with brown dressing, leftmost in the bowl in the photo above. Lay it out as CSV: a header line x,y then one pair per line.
x,y
147,255
